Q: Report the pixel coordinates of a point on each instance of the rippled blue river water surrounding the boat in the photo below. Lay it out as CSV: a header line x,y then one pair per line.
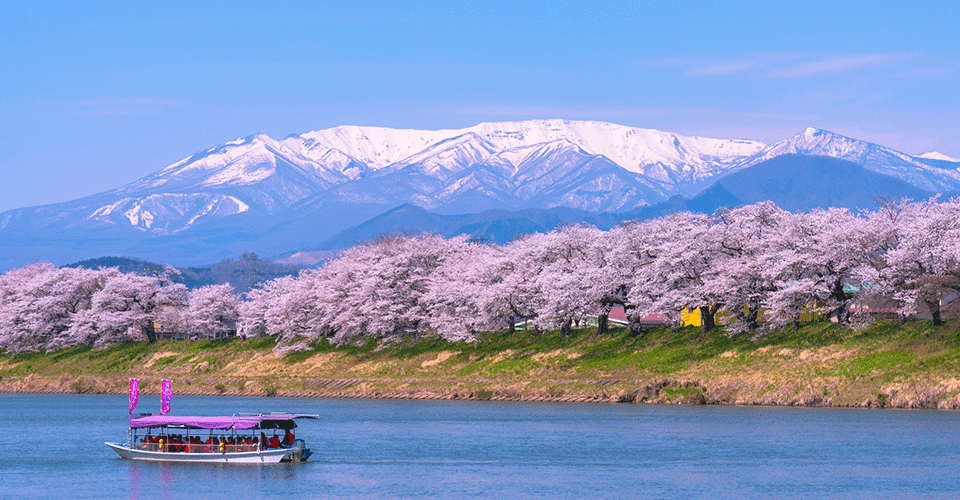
x,y
51,446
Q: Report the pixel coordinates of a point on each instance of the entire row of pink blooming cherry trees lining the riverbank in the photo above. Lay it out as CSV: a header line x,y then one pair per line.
x,y
760,266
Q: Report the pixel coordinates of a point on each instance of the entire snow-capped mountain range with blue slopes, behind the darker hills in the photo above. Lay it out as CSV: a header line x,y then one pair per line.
x,y
266,194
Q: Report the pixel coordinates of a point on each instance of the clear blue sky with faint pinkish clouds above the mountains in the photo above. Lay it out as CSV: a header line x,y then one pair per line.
x,y
96,95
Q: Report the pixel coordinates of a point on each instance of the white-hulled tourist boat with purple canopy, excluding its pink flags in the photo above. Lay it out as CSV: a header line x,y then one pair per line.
x,y
238,439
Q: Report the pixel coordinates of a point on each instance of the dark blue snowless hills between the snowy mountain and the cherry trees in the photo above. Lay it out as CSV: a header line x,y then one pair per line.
x,y
793,182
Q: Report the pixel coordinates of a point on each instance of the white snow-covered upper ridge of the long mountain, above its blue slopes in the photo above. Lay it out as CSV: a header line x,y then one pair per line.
x,y
348,152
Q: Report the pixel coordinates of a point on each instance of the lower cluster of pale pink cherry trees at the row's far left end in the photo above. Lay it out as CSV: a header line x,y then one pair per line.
x,y
46,307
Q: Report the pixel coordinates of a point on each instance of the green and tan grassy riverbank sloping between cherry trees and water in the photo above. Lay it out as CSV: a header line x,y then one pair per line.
x,y
885,365
